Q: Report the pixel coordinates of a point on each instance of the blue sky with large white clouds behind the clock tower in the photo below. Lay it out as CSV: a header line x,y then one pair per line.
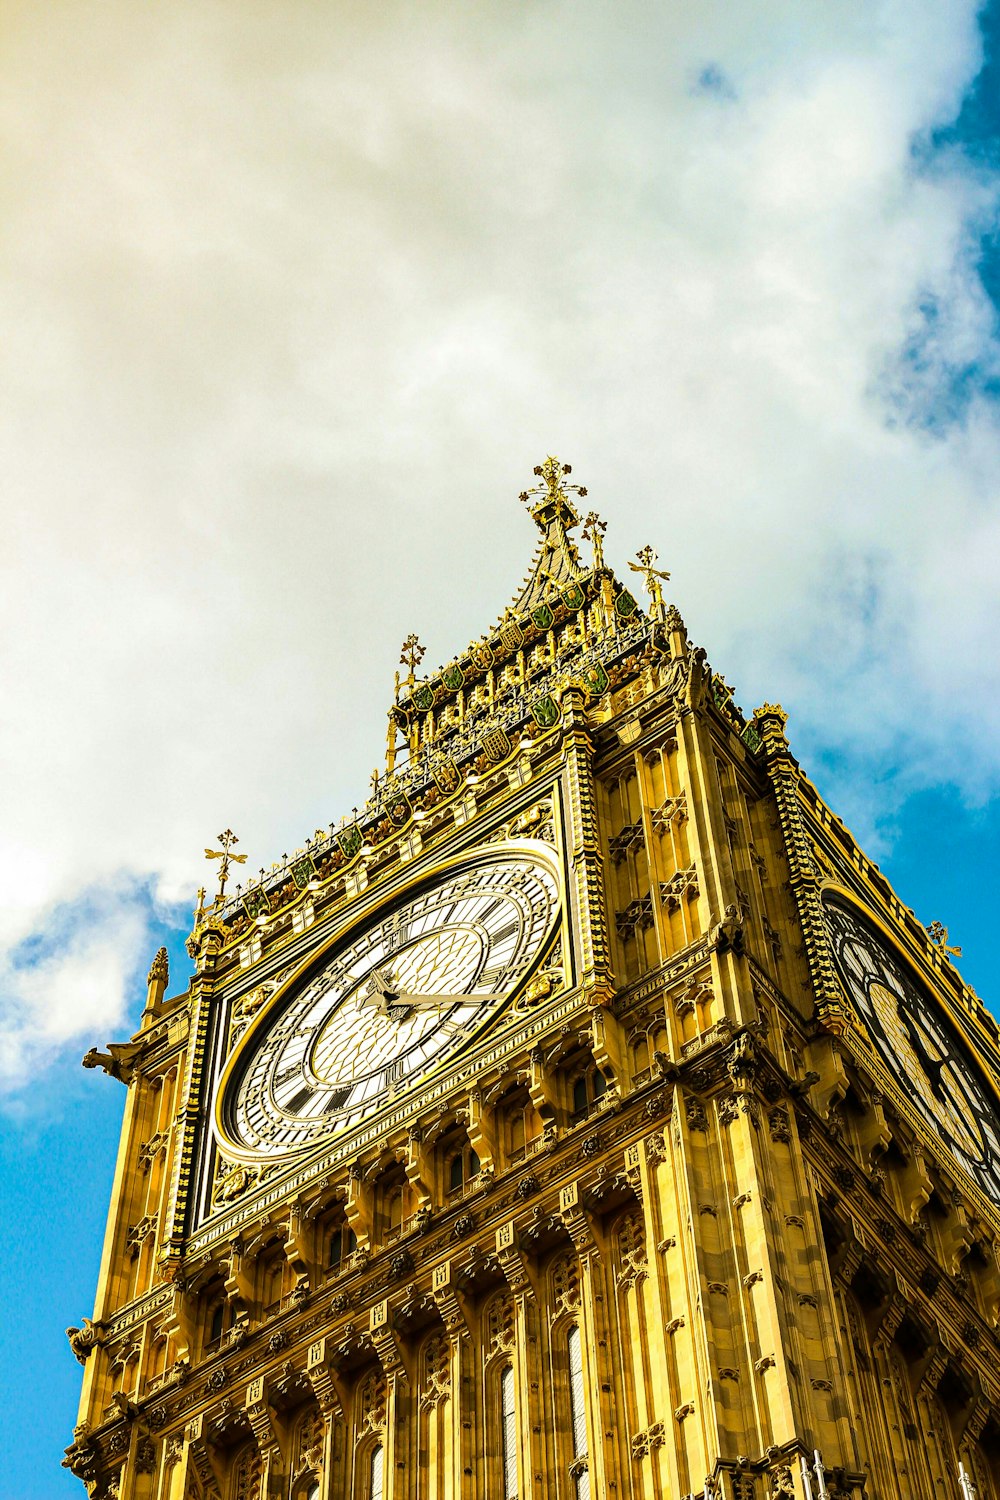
x,y
293,298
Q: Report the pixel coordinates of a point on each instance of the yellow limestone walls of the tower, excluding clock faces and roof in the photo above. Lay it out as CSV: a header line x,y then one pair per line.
x,y
761,1256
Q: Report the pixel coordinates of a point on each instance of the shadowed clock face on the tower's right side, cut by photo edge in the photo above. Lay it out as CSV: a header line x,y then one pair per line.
x,y
924,1052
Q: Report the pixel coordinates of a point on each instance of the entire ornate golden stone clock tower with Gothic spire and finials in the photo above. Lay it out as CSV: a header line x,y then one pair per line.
x,y
587,1120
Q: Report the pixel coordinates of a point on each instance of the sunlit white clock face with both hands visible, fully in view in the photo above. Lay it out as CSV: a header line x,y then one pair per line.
x,y
412,985
